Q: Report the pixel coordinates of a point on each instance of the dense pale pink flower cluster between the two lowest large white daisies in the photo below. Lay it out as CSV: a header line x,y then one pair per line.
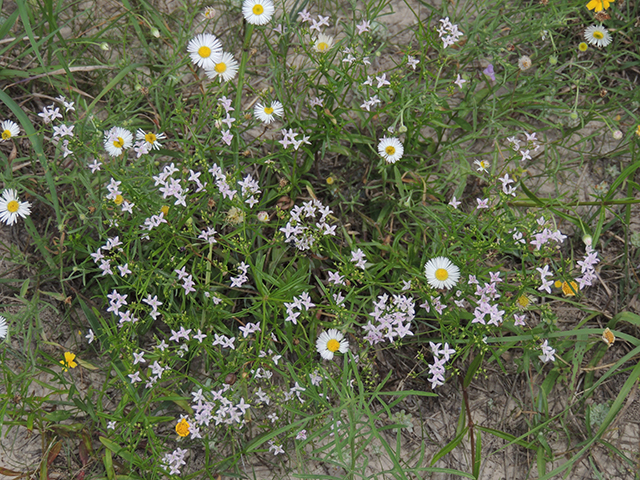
x,y
391,319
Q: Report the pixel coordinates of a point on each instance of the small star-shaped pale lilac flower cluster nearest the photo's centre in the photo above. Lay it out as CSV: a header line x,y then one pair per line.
x,y
303,228
